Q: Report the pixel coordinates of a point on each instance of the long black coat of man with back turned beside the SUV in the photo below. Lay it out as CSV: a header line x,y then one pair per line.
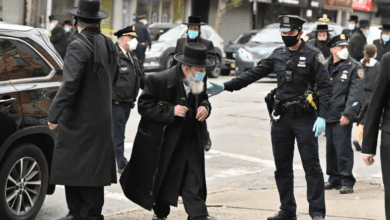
x,y
84,153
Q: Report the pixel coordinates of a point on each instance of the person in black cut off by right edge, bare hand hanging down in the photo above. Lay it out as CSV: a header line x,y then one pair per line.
x,y
379,105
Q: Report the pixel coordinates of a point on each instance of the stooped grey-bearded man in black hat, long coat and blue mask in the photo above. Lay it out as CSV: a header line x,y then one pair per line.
x,y
168,157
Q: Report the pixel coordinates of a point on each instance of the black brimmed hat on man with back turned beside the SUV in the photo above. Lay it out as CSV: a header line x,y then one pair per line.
x,y
89,9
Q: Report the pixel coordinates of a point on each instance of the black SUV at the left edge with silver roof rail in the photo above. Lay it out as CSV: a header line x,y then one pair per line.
x,y
30,75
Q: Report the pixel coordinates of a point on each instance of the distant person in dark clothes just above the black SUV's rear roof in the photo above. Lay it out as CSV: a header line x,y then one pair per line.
x,y
57,37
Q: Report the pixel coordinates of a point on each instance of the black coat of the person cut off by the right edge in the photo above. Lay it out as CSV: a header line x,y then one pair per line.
x,y
380,103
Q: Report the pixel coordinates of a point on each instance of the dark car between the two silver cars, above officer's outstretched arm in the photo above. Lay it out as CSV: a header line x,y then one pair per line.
x,y
232,48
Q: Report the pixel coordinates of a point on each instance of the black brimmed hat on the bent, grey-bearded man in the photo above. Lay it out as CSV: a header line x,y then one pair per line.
x,y
194,55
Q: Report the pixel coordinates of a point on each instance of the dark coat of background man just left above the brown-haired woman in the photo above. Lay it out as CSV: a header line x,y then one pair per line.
x,y
357,42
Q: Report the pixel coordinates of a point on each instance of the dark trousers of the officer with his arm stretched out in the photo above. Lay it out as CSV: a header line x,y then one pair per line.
x,y
283,135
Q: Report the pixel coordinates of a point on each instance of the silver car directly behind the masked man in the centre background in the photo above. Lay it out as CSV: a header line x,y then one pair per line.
x,y
161,55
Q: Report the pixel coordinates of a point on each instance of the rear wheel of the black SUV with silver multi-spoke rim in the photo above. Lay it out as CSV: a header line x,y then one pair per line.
x,y
24,177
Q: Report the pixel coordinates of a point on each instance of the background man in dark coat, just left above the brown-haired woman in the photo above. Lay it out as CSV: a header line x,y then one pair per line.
x,y
359,40
